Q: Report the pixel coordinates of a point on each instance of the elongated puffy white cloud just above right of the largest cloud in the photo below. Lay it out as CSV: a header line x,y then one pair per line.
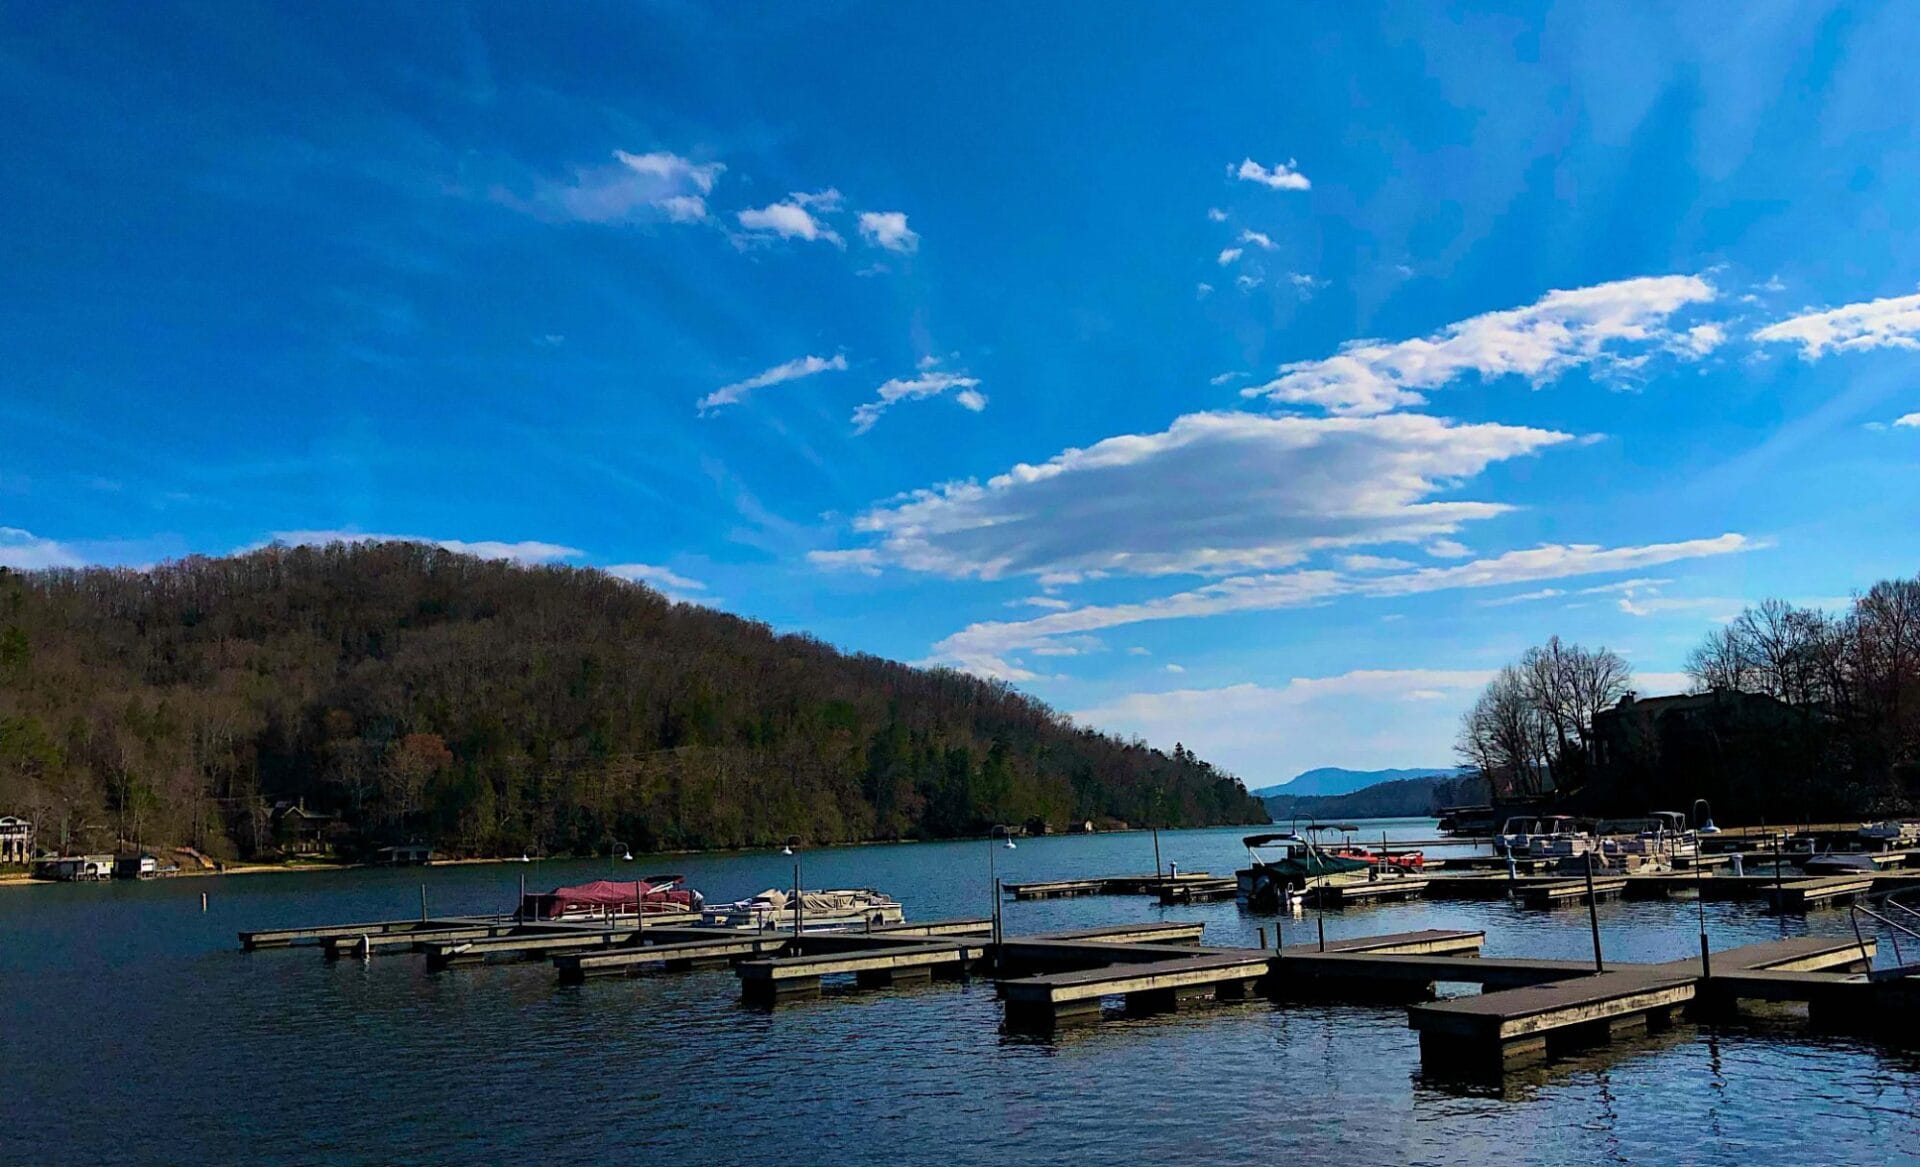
x,y
1543,341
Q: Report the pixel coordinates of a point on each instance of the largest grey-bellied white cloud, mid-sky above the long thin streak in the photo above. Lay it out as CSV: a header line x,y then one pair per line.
x,y
1214,494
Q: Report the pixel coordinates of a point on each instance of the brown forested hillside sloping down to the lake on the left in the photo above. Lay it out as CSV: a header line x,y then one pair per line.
x,y
496,709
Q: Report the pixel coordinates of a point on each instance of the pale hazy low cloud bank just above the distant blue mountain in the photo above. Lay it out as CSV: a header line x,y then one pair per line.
x,y
1266,734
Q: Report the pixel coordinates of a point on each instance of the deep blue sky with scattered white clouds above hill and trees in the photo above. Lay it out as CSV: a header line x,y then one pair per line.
x,y
1259,381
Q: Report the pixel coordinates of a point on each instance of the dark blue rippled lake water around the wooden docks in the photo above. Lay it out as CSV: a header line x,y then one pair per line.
x,y
135,1032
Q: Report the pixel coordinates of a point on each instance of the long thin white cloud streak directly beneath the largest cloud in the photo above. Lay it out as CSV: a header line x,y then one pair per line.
x,y
994,648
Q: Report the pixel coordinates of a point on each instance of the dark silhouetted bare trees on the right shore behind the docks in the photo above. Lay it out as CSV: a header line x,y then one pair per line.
x,y
1792,715
